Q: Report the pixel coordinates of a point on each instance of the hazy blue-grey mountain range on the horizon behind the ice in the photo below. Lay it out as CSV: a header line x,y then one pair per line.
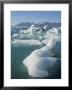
x,y
42,25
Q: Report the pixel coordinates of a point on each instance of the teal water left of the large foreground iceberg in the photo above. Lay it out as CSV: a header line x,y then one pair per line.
x,y
18,54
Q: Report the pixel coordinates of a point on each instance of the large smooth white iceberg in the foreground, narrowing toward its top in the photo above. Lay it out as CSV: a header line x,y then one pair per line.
x,y
41,59
